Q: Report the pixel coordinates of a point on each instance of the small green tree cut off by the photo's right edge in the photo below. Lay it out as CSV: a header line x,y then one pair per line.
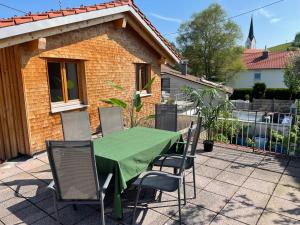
x,y
292,76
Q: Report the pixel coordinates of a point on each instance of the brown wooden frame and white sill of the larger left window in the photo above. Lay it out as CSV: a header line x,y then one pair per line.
x,y
66,104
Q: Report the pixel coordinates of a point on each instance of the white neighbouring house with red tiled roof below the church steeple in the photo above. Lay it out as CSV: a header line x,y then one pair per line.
x,y
262,66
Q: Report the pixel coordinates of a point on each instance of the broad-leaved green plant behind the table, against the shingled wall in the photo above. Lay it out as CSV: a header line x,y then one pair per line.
x,y
132,103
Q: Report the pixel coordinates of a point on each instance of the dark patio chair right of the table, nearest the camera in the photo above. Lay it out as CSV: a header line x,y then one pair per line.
x,y
163,181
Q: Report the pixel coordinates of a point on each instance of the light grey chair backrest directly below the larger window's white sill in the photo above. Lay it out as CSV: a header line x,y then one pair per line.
x,y
76,126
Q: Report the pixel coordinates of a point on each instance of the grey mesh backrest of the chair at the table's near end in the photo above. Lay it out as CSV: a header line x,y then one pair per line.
x,y
74,170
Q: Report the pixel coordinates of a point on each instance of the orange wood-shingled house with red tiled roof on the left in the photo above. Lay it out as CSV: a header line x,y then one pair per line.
x,y
61,61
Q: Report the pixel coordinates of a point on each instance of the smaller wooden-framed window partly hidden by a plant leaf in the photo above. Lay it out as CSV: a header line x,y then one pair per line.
x,y
143,75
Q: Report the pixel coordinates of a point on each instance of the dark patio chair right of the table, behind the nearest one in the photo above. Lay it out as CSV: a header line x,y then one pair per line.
x,y
174,160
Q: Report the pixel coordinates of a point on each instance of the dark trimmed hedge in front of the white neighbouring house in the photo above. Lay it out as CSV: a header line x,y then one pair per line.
x,y
271,93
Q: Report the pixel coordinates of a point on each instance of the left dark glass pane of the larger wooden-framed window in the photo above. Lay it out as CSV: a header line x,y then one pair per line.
x,y
55,82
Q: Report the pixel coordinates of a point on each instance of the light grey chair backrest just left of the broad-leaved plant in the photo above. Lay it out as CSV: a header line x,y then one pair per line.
x,y
111,120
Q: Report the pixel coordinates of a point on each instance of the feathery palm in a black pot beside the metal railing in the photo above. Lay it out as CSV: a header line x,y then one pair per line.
x,y
210,104
